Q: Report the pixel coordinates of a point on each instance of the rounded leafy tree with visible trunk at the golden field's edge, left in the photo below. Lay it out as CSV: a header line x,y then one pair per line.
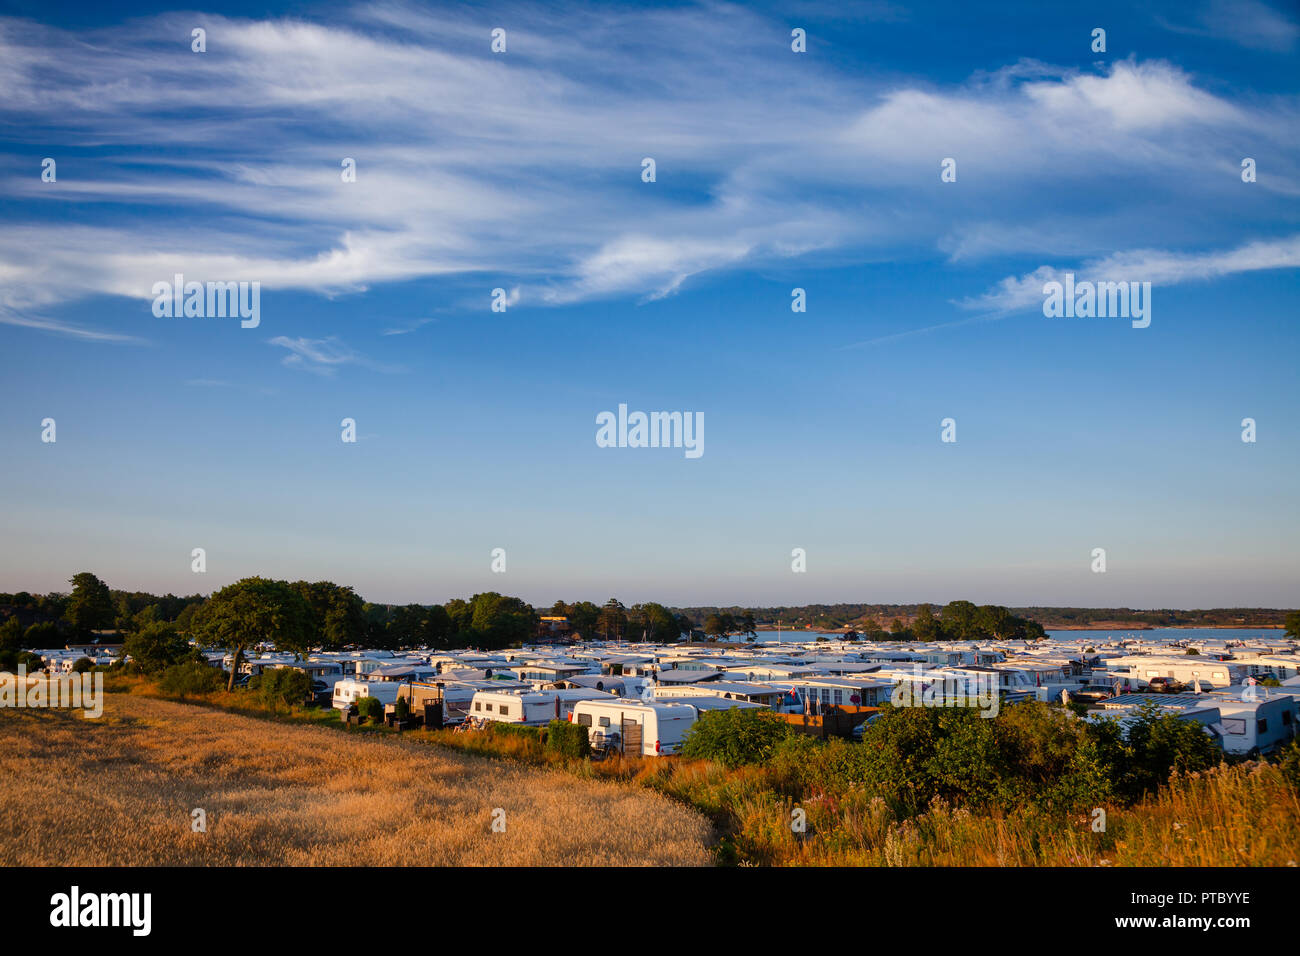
x,y
250,612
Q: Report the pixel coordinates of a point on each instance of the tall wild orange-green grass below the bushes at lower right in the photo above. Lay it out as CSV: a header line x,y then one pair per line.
x,y
1233,816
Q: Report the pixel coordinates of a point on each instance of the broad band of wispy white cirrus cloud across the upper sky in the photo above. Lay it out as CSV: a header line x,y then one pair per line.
x,y
528,165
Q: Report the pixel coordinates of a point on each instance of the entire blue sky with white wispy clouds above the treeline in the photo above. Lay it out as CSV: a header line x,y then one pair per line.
x,y
774,171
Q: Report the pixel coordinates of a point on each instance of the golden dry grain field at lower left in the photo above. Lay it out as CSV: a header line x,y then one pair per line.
x,y
120,791
